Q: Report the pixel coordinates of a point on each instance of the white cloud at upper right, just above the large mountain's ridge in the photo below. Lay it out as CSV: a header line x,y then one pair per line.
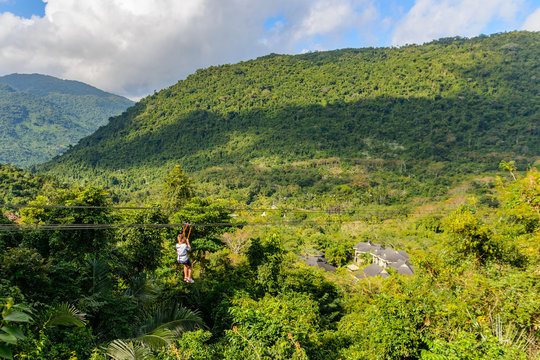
x,y
433,19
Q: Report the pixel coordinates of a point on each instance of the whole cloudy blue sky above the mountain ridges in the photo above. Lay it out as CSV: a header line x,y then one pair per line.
x,y
134,47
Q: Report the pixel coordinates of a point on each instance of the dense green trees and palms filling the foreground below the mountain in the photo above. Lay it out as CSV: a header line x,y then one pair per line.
x,y
475,293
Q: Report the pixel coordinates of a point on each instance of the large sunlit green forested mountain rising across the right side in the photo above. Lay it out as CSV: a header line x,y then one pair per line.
x,y
465,102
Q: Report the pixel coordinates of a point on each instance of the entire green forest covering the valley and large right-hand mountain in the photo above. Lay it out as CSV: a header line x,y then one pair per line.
x,y
371,203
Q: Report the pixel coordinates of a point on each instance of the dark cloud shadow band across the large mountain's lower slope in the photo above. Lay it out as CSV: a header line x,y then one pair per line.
x,y
445,129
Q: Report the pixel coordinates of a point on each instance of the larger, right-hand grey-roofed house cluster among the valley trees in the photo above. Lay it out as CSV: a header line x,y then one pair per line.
x,y
381,259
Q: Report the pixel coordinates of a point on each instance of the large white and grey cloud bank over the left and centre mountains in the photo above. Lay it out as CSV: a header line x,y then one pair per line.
x,y
132,47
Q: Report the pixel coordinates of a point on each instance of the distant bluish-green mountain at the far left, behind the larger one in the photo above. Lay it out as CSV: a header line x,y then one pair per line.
x,y
40,116
